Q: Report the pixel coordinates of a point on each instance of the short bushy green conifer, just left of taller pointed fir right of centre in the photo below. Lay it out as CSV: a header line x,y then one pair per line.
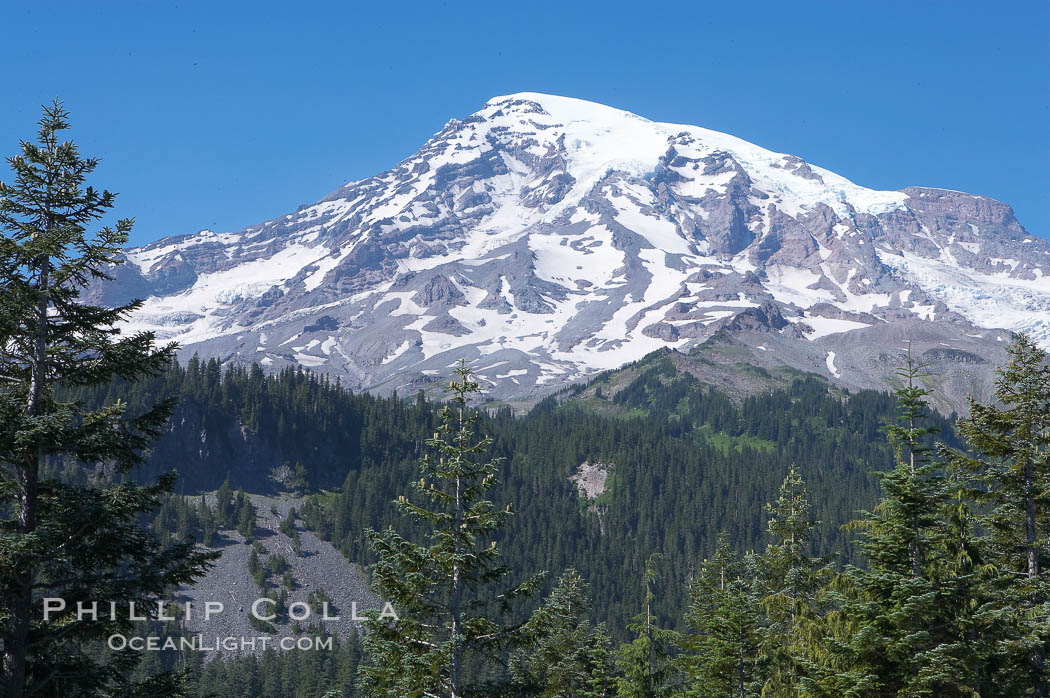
x,y
726,620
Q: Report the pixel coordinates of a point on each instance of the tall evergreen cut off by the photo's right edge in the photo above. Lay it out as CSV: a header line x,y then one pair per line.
x,y
1011,472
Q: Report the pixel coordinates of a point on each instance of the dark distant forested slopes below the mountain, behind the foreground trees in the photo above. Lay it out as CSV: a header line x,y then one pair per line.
x,y
688,464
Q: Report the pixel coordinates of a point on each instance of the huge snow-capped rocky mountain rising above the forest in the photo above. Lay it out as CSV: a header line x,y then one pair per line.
x,y
548,239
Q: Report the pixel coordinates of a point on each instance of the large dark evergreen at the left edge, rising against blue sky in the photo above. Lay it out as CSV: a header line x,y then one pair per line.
x,y
77,543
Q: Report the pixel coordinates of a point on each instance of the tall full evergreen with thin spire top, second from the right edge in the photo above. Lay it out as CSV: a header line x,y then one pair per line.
x,y
908,614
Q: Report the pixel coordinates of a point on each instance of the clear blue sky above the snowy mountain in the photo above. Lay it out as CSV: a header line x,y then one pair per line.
x,y
221,115
